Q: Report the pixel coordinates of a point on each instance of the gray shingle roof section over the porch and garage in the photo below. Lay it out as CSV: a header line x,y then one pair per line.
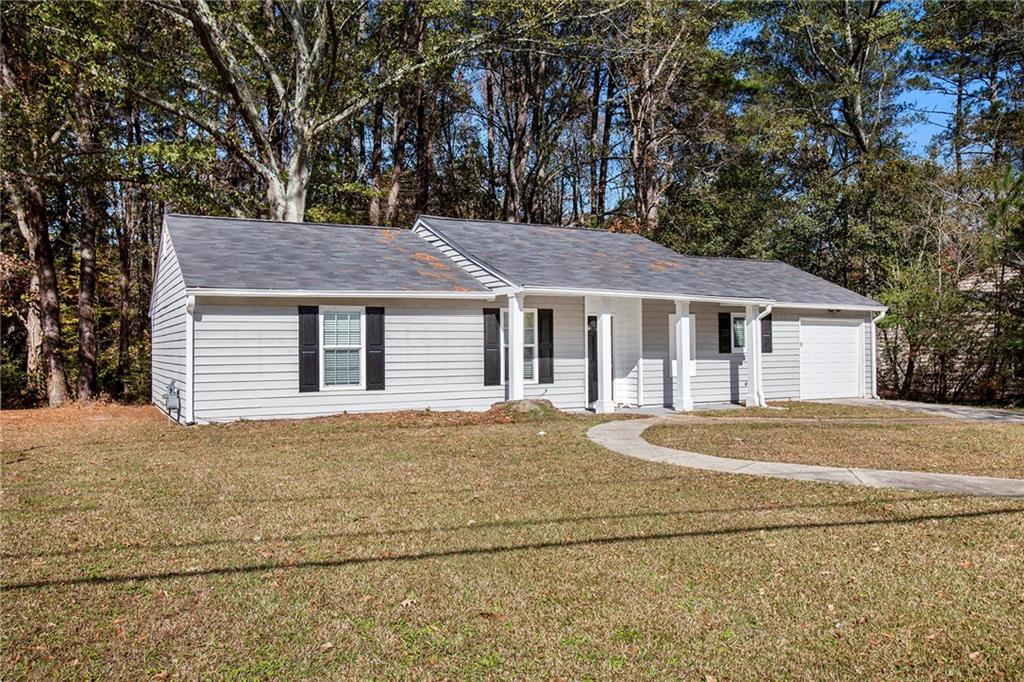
x,y
548,257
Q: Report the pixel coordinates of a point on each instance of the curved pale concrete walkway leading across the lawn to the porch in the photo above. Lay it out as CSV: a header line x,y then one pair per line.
x,y
624,438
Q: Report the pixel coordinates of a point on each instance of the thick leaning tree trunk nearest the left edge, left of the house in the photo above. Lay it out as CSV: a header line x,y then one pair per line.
x,y
30,207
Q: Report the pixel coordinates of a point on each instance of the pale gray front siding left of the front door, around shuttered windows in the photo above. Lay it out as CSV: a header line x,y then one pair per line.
x,y
247,360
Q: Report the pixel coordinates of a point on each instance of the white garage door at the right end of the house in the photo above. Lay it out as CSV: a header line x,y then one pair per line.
x,y
830,359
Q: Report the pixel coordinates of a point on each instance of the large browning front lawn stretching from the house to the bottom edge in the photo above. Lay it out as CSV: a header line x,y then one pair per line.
x,y
468,546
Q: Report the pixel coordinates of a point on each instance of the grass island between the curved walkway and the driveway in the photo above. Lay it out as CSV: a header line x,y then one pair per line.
x,y
890,441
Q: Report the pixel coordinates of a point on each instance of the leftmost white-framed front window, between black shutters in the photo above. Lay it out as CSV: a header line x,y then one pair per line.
x,y
343,348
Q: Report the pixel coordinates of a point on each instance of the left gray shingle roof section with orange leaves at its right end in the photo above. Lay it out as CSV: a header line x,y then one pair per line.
x,y
231,253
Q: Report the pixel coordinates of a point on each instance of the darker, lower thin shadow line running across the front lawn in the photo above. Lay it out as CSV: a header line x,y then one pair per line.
x,y
502,549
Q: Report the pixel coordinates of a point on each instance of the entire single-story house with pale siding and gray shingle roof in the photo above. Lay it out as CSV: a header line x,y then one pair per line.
x,y
263,320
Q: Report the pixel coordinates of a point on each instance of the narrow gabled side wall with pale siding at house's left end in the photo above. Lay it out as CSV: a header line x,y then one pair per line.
x,y
168,331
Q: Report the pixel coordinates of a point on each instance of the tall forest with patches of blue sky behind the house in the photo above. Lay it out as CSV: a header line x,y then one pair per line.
x,y
762,131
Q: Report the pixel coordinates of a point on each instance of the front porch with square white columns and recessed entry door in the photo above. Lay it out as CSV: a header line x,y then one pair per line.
x,y
621,351
